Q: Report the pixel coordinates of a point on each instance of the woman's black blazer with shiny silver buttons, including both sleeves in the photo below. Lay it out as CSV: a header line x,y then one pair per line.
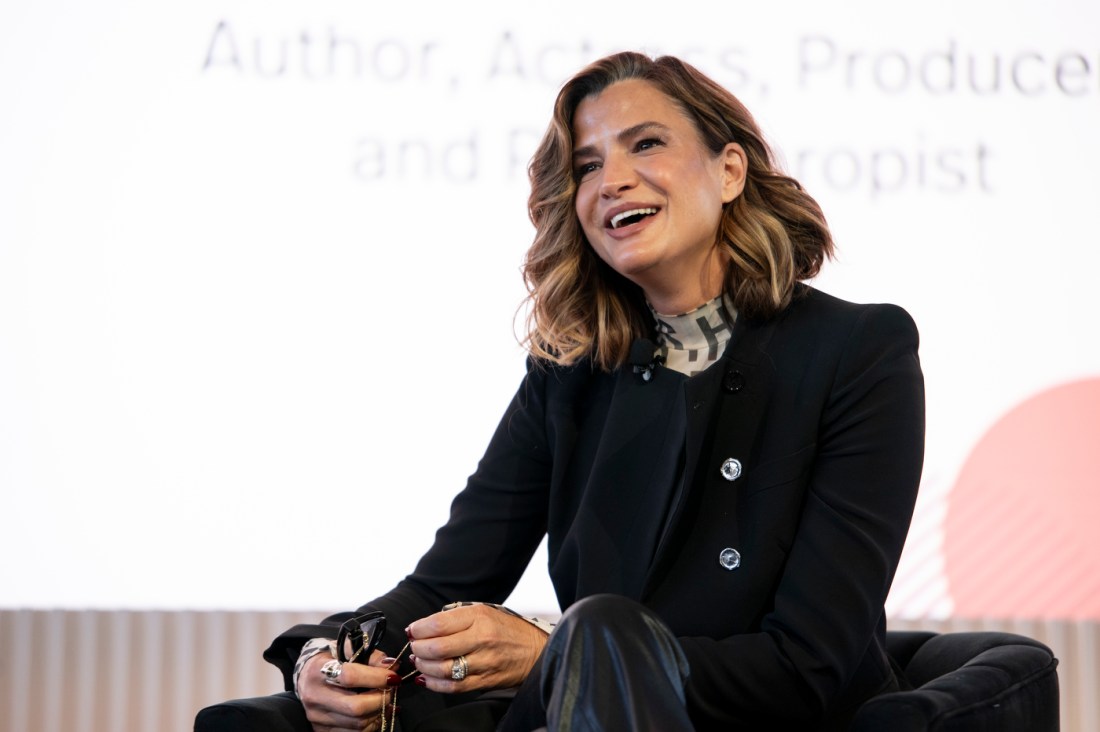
x,y
823,408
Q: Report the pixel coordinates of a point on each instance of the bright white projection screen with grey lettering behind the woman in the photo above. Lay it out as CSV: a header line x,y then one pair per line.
x,y
247,248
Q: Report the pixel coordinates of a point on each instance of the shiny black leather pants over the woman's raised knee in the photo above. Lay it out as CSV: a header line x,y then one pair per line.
x,y
612,665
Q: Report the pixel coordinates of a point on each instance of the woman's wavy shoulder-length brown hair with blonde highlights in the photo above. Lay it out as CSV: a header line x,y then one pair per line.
x,y
774,234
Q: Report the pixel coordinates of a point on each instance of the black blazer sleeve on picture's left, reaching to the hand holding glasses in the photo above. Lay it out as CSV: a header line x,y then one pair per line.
x,y
494,528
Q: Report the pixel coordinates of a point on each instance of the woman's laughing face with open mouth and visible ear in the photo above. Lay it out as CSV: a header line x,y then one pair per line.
x,y
651,194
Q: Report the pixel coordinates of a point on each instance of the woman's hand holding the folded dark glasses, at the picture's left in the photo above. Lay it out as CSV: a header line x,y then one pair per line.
x,y
343,704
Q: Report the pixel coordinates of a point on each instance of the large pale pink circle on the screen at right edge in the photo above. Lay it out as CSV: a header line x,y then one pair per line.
x,y
1022,534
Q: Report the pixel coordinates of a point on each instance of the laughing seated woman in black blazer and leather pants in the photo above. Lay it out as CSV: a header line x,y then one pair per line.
x,y
725,461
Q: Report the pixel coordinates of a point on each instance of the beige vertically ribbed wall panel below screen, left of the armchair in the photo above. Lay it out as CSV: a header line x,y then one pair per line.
x,y
128,671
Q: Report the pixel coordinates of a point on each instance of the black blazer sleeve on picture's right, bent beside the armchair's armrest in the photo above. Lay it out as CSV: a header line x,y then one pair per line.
x,y
859,502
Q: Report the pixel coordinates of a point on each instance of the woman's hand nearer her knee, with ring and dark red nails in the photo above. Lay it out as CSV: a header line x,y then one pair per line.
x,y
500,650
